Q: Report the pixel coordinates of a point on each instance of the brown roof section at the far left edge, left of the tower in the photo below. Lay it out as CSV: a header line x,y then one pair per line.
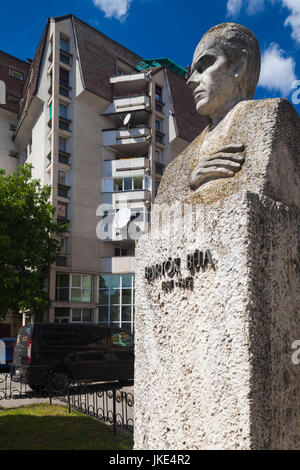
x,y
14,86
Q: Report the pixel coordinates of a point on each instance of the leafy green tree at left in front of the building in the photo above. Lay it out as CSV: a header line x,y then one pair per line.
x,y
27,245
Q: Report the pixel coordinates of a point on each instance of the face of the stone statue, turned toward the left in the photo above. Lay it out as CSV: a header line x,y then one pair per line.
x,y
212,79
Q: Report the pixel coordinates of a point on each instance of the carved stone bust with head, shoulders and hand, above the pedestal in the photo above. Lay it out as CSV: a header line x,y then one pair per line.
x,y
249,144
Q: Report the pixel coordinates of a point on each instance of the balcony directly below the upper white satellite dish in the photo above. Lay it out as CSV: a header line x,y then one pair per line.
x,y
135,140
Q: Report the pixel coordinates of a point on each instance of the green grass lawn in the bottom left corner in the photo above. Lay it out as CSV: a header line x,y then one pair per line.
x,y
51,427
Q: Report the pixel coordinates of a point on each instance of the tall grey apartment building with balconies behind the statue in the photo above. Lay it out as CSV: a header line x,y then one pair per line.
x,y
99,124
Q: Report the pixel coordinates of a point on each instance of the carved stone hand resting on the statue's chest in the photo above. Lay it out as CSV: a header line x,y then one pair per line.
x,y
222,164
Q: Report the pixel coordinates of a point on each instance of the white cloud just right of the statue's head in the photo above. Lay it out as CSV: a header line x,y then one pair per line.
x,y
277,71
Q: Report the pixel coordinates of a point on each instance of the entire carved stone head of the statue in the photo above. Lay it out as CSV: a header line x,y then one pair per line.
x,y
225,69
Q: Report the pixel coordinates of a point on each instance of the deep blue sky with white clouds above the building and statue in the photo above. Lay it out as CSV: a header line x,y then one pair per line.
x,y
178,24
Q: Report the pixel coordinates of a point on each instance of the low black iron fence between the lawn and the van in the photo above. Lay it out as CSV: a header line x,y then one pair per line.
x,y
108,402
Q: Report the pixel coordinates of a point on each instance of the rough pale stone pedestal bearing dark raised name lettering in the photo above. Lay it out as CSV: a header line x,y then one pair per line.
x,y
214,337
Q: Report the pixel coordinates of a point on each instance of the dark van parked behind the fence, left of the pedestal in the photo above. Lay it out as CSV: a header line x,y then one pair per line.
x,y
87,352
